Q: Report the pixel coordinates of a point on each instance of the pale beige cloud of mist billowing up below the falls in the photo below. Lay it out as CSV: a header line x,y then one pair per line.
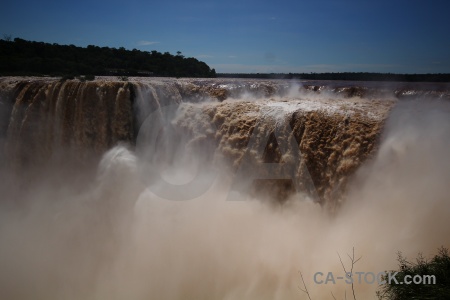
x,y
114,239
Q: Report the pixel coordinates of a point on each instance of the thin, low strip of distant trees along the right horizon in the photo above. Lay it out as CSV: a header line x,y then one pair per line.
x,y
348,76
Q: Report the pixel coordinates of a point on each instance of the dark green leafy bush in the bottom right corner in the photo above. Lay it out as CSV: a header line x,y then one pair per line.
x,y
439,266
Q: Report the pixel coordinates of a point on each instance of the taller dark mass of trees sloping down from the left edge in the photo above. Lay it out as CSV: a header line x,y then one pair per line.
x,y
21,57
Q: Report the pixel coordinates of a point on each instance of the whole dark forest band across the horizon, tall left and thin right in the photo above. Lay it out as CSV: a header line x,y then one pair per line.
x,y
19,57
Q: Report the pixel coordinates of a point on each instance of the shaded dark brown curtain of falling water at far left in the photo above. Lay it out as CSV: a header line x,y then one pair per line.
x,y
77,117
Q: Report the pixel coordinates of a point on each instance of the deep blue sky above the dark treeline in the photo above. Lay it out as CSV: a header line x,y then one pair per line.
x,y
398,36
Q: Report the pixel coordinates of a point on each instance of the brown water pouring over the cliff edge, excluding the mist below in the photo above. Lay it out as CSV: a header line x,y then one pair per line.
x,y
322,137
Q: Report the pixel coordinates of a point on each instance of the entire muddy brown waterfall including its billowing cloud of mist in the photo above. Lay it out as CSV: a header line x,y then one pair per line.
x,y
164,216
